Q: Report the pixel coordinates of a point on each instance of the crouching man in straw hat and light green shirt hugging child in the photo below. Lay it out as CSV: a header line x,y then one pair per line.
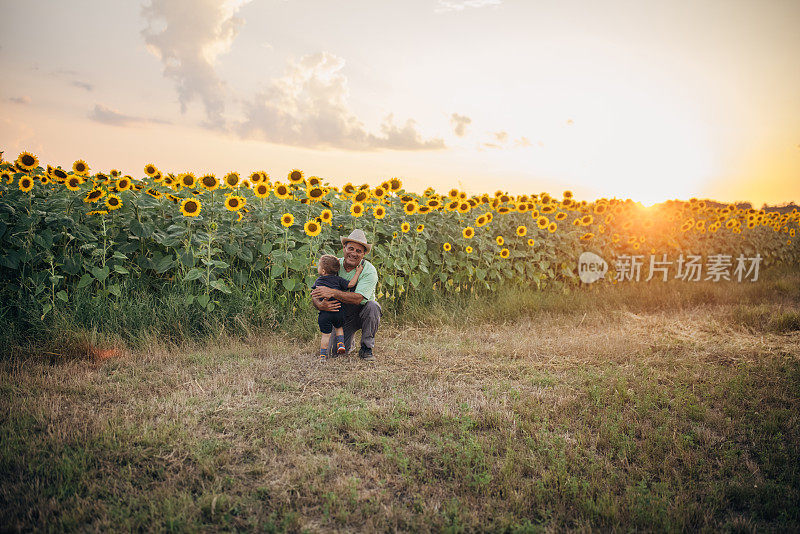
x,y
362,311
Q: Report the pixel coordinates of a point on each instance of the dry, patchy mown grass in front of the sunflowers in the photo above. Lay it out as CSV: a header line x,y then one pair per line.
x,y
668,409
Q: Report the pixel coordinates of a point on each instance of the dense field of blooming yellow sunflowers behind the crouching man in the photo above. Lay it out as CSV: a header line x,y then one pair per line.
x,y
73,232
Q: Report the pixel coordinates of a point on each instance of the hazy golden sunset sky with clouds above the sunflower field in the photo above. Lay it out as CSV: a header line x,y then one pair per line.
x,y
622,98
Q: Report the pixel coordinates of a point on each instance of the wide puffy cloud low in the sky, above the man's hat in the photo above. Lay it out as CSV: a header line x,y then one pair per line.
x,y
308,107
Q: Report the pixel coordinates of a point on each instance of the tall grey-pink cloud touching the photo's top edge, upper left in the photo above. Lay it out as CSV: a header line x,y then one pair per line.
x,y
188,36
